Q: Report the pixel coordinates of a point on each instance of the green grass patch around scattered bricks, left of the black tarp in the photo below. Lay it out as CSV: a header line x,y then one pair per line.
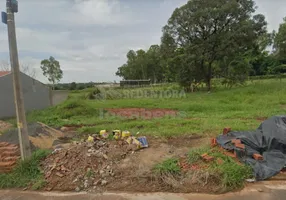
x,y
232,174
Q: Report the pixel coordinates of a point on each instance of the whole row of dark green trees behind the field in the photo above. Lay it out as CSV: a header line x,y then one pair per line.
x,y
211,39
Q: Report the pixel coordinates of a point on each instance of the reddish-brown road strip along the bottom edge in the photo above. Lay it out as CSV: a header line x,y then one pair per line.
x,y
257,192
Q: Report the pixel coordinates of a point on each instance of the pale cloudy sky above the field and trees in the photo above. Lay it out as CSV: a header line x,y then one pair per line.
x,y
90,38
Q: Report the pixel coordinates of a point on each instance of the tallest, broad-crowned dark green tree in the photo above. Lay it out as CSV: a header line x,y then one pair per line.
x,y
208,31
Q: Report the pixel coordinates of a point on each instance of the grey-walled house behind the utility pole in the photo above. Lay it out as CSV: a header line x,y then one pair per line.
x,y
36,94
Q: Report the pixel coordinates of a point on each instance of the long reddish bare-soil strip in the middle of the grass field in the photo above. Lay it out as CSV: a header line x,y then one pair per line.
x,y
142,113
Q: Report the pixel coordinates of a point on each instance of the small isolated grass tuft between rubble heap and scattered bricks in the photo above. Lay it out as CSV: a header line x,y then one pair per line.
x,y
169,166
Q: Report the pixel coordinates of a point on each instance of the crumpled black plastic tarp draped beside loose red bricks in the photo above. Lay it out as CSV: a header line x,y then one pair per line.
x,y
269,140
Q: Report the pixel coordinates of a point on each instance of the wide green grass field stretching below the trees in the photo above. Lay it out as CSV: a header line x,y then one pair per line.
x,y
241,108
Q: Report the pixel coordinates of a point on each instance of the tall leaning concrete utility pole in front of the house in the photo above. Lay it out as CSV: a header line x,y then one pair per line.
x,y
18,94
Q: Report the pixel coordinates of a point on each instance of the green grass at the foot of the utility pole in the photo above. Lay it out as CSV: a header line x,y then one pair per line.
x,y
26,173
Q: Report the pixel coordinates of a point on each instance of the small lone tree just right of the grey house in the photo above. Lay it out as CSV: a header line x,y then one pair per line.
x,y
52,70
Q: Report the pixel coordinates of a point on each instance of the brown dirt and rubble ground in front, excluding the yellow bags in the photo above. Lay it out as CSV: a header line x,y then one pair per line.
x,y
109,165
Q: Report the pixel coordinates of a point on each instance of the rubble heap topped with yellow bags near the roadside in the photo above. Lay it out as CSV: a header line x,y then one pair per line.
x,y
90,164
